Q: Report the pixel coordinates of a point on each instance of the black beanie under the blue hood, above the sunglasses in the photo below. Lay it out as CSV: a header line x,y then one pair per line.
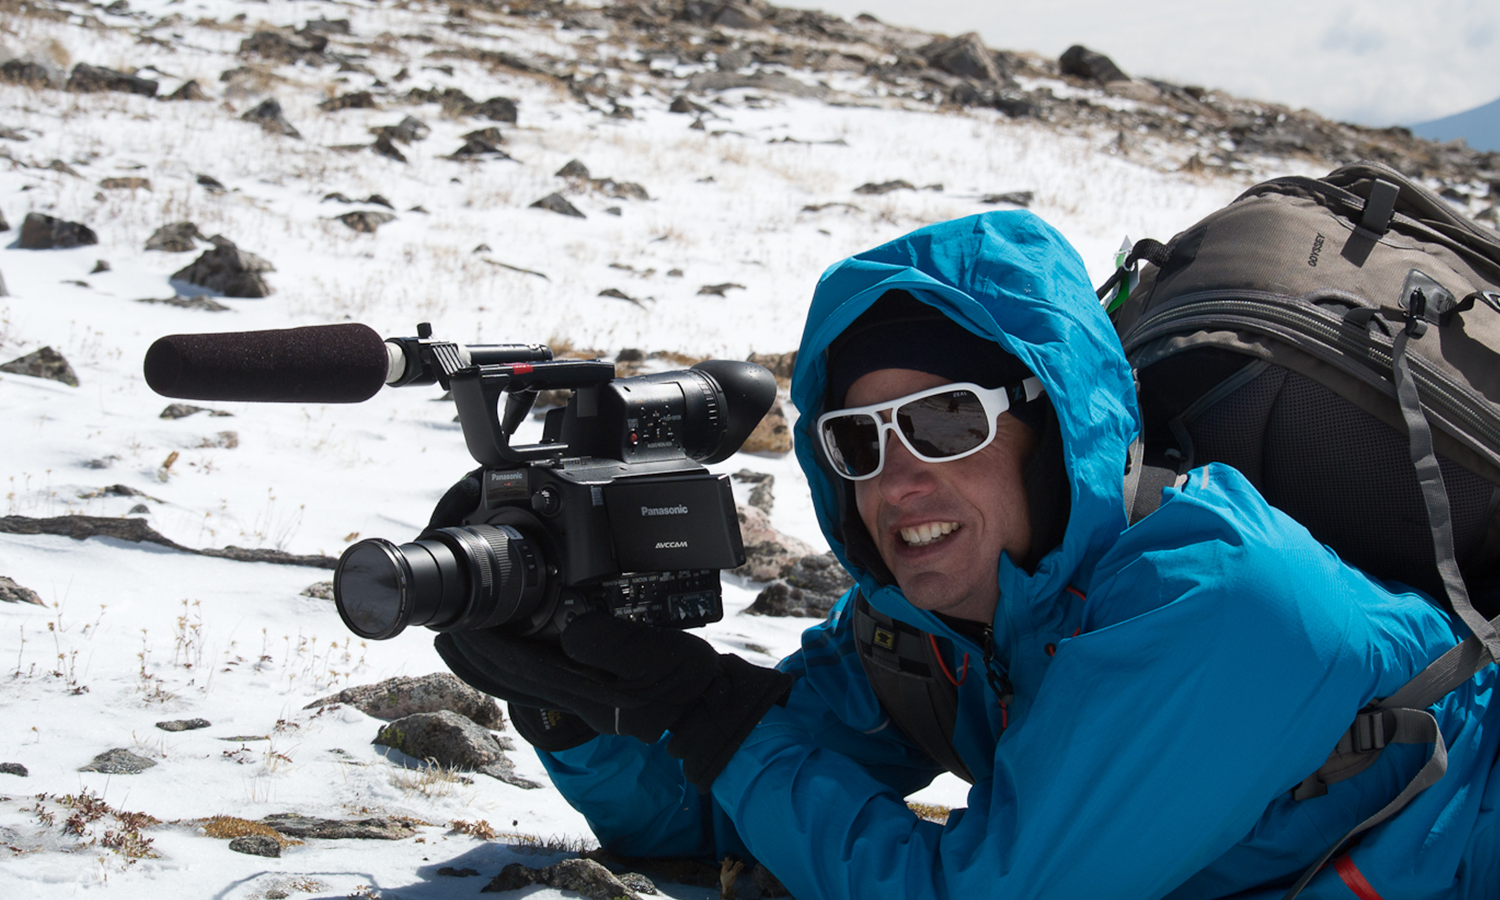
x,y
901,332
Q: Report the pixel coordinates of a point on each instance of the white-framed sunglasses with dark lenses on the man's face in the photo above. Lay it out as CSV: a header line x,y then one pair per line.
x,y
938,425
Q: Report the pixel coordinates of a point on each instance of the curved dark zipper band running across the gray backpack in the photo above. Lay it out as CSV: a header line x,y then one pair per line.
x,y
1300,320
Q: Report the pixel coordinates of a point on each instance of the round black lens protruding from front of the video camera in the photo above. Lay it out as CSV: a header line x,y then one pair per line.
x,y
449,580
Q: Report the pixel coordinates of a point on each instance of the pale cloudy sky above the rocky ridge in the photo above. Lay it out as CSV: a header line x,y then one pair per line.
x,y
1375,62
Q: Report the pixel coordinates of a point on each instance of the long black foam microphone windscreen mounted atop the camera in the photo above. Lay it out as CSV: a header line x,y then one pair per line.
x,y
311,365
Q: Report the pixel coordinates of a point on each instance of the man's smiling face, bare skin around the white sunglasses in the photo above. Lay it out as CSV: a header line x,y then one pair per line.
x,y
980,502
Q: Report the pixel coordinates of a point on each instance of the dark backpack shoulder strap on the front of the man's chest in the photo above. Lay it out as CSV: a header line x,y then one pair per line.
x,y
904,670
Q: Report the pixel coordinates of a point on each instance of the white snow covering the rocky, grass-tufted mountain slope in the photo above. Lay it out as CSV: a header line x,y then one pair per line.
x,y
136,634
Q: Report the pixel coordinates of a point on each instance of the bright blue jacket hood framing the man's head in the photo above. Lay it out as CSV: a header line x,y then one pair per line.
x,y
1010,278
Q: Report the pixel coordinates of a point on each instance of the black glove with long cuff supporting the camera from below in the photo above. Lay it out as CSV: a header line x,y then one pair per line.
x,y
628,679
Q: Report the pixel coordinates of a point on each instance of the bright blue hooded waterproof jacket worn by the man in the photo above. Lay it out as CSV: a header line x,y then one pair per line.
x,y
1172,680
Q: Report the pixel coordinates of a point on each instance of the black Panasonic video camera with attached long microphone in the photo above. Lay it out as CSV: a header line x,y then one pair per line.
x,y
611,511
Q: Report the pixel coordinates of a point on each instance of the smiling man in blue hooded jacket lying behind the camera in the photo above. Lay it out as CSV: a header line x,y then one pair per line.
x,y
1133,704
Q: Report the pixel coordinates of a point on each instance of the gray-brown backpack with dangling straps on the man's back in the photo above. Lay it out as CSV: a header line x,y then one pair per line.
x,y
1339,341
